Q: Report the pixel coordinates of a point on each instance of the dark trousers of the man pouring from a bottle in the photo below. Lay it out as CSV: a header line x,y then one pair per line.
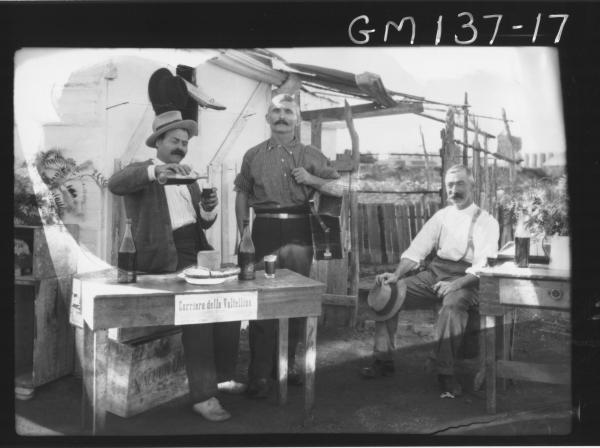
x,y
210,350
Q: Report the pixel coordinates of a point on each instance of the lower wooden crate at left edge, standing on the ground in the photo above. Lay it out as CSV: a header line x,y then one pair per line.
x,y
43,337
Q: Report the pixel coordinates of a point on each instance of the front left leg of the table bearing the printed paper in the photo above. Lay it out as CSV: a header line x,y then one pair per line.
x,y
100,377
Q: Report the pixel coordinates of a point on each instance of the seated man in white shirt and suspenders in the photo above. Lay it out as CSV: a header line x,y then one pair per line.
x,y
463,236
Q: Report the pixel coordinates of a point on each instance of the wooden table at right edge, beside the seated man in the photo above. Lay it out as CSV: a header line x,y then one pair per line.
x,y
503,289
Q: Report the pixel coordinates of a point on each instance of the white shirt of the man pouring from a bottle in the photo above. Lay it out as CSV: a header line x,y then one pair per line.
x,y
179,201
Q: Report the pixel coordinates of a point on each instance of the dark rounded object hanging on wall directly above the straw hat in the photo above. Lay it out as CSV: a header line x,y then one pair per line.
x,y
167,91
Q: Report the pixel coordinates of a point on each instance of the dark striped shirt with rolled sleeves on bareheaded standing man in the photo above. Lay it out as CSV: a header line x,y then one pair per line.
x,y
266,173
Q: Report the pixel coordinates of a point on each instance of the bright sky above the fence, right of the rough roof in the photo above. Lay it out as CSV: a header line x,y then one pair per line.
x,y
524,81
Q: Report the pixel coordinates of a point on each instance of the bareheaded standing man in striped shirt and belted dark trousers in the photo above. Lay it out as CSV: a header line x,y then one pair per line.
x,y
277,178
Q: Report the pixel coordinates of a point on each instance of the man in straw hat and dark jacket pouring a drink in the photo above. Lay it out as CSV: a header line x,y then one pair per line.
x,y
168,223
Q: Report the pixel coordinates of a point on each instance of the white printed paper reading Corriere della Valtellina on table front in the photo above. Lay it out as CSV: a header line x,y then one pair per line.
x,y
215,307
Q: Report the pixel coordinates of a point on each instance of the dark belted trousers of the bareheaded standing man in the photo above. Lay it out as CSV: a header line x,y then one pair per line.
x,y
290,240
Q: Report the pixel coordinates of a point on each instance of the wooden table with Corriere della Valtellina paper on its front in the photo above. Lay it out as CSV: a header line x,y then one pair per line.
x,y
169,300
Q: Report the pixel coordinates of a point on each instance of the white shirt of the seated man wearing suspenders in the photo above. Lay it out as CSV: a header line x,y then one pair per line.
x,y
451,226
